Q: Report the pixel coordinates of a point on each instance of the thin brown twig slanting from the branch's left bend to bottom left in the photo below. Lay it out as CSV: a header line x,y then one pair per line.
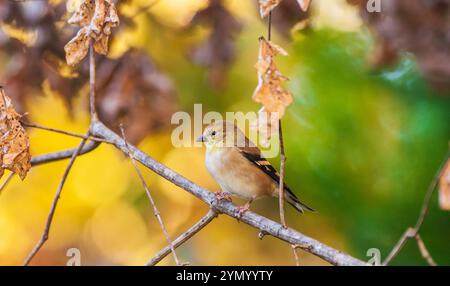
x,y
46,232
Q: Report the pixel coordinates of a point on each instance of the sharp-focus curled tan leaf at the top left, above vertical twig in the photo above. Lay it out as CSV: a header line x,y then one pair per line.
x,y
96,18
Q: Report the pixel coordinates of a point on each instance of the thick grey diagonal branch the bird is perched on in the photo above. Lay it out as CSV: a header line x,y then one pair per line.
x,y
259,222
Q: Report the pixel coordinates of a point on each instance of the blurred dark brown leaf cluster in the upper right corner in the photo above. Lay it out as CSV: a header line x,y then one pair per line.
x,y
420,27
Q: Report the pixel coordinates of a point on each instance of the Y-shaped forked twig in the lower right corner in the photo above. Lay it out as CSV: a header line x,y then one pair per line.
x,y
413,232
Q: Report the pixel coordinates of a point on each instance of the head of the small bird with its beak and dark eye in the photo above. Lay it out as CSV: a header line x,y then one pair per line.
x,y
221,134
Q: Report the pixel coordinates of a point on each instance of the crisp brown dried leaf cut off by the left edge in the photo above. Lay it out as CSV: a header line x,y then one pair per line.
x,y
14,144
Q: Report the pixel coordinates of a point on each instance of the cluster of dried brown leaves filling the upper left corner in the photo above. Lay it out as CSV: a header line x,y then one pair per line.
x,y
45,60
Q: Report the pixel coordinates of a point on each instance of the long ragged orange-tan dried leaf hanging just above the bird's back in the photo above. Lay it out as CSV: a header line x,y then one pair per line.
x,y
269,91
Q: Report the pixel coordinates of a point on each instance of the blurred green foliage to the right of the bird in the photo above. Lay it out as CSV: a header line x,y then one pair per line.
x,y
366,144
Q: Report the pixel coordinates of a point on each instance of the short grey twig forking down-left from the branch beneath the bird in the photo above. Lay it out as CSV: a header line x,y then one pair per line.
x,y
185,236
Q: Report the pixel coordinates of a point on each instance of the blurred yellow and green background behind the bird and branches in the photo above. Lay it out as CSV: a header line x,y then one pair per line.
x,y
362,147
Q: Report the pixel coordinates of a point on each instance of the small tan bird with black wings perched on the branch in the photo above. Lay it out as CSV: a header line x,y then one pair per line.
x,y
240,169
